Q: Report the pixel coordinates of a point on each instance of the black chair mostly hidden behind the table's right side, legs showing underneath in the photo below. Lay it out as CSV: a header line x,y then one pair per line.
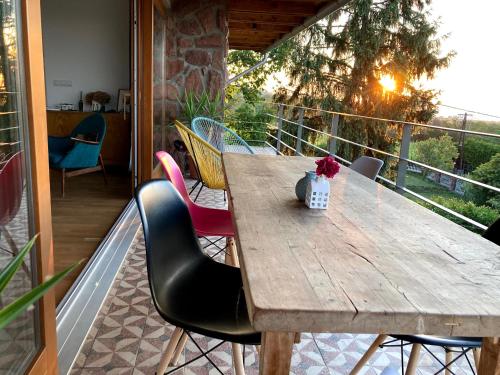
x,y
459,345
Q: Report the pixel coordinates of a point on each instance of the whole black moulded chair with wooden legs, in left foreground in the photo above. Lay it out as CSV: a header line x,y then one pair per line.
x,y
186,284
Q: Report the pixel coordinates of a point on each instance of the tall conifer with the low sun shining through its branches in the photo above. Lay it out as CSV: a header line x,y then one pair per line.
x,y
337,64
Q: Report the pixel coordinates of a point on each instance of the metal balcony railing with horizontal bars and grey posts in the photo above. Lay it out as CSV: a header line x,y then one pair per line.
x,y
276,133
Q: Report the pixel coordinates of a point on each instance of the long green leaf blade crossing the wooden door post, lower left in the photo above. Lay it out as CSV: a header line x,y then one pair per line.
x,y
11,311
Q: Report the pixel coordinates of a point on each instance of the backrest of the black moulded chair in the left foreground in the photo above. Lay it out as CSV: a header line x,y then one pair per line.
x,y
171,243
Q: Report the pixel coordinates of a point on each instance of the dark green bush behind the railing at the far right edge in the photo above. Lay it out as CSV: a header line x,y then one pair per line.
x,y
487,173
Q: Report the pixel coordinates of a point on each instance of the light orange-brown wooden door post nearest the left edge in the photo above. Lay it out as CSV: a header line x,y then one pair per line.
x,y
45,362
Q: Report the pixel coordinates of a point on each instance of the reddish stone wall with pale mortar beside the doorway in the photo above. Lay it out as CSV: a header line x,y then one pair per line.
x,y
193,59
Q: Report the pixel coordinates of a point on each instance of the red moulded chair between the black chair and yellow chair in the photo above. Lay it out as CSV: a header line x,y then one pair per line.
x,y
207,221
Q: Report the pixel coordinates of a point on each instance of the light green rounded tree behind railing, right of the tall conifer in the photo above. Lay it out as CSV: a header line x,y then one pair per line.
x,y
436,152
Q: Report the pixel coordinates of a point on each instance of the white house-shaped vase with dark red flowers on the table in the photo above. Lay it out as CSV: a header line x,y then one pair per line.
x,y
318,189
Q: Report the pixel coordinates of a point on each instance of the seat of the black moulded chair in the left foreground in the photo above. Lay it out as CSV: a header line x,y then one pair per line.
x,y
212,304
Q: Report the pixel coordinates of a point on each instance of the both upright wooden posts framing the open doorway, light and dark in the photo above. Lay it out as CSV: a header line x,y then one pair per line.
x,y
45,361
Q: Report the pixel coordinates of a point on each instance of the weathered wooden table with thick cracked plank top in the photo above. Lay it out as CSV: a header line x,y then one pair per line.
x,y
374,262
